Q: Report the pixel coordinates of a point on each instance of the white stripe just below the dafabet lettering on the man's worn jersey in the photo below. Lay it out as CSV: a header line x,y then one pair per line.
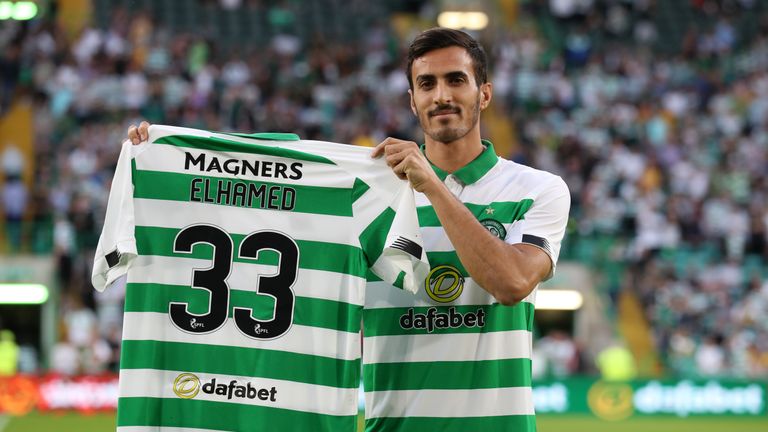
x,y
454,347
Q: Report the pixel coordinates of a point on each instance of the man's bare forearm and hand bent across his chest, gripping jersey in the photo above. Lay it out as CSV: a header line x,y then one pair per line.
x,y
508,272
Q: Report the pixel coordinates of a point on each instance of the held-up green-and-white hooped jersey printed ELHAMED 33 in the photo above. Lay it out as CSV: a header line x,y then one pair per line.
x,y
245,258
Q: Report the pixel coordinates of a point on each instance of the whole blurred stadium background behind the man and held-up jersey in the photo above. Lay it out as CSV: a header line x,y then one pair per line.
x,y
655,112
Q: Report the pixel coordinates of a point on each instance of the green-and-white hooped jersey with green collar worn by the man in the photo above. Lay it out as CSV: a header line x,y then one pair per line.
x,y
451,358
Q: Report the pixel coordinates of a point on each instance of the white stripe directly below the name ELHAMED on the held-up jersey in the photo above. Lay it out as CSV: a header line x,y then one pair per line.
x,y
237,220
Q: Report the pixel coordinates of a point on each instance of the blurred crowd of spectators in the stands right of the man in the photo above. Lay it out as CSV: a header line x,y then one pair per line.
x,y
666,156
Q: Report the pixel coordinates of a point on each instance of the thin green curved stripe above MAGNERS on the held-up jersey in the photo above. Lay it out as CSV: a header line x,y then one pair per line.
x,y
219,144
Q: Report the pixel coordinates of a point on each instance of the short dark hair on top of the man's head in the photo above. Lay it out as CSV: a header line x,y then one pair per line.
x,y
437,38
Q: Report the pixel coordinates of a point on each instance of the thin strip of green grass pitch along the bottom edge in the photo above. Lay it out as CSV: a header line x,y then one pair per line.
x,y
38,422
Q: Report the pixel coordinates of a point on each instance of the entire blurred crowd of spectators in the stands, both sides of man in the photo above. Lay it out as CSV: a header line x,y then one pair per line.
x,y
665,154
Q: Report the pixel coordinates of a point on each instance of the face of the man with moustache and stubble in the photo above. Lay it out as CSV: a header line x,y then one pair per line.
x,y
445,96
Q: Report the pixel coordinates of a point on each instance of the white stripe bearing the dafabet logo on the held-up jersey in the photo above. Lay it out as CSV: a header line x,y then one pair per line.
x,y
287,394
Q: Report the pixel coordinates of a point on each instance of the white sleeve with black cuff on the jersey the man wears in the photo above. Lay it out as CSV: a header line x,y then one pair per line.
x,y
544,224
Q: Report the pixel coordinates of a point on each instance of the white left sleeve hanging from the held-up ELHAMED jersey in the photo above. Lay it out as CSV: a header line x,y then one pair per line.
x,y
117,246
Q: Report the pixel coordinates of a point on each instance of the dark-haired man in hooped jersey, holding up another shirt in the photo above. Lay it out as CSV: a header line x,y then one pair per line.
x,y
456,357
